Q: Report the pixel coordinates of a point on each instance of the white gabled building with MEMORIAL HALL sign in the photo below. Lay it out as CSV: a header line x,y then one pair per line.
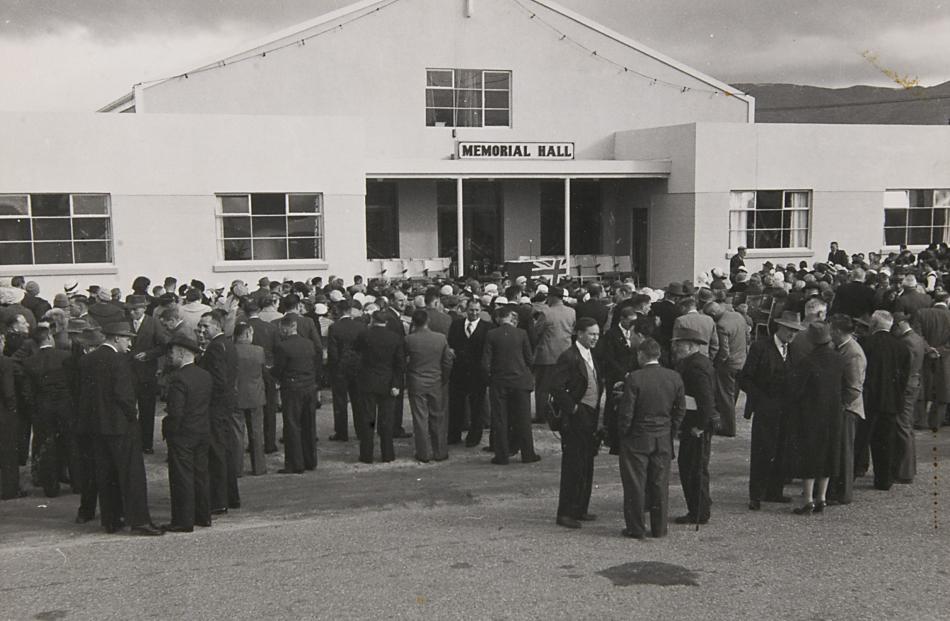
x,y
392,129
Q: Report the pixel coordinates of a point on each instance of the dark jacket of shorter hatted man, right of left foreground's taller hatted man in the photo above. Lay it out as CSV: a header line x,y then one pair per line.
x,y
187,416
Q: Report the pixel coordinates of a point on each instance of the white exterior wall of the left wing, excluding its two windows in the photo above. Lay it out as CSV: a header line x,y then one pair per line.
x,y
162,172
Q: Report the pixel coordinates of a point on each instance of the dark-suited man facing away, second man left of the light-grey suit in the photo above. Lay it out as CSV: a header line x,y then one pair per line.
x,y
343,364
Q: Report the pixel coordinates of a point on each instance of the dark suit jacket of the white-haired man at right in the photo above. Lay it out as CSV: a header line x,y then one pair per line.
x,y
887,372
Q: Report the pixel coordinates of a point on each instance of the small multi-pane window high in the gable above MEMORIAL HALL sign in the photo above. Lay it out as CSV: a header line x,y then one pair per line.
x,y
468,98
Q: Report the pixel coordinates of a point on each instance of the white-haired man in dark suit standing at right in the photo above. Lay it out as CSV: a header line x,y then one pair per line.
x,y
884,386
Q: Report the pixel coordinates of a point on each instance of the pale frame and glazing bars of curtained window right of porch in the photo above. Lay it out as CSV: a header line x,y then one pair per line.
x,y
742,233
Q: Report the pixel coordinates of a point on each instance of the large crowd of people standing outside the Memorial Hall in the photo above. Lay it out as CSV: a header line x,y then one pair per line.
x,y
840,361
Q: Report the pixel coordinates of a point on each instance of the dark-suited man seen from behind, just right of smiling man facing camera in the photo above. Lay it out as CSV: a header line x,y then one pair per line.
x,y
506,362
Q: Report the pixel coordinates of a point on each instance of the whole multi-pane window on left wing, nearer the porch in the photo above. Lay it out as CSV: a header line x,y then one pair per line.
x,y
268,227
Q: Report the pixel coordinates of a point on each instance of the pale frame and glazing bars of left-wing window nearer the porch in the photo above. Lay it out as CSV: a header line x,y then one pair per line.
x,y
318,213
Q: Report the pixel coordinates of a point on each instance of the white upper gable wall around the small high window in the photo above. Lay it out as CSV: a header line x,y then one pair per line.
x,y
553,82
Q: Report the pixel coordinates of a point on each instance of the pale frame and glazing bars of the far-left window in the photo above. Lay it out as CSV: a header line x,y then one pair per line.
x,y
72,215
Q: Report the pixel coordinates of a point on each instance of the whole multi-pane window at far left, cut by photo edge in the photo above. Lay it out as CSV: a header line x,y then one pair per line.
x,y
46,229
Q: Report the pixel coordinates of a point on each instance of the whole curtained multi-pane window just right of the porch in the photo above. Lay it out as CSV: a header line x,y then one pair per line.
x,y
769,219
